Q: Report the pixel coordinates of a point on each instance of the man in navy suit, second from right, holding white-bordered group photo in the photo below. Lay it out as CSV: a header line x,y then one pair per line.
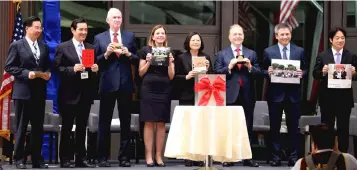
x,y
284,97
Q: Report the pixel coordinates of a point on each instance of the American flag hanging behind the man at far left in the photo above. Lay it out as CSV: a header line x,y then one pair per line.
x,y
7,81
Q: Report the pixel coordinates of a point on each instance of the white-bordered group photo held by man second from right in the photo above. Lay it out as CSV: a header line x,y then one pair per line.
x,y
285,71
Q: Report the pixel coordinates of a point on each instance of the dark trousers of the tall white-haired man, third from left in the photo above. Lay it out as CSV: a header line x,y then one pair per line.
x,y
107,104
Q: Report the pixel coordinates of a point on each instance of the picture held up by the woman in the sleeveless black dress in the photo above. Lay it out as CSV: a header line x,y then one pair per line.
x,y
160,56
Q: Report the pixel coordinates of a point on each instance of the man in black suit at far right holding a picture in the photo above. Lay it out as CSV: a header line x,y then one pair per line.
x,y
335,103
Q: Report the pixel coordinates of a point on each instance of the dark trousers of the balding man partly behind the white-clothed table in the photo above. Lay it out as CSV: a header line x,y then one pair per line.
x,y
248,107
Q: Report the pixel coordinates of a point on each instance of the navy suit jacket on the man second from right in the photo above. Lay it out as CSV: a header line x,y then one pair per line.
x,y
278,91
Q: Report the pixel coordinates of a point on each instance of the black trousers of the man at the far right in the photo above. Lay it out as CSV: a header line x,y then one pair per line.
x,y
330,113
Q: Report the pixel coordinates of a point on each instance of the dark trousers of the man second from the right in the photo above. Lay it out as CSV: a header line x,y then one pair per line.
x,y
292,112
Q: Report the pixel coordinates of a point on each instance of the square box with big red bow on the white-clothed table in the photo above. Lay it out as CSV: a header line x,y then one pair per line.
x,y
210,90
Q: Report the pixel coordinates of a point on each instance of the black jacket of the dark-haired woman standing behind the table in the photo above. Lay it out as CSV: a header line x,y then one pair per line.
x,y
183,65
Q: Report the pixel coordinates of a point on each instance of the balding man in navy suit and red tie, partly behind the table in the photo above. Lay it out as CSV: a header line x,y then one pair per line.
x,y
240,78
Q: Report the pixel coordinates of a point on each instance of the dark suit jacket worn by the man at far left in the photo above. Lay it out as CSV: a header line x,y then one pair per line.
x,y
19,62
